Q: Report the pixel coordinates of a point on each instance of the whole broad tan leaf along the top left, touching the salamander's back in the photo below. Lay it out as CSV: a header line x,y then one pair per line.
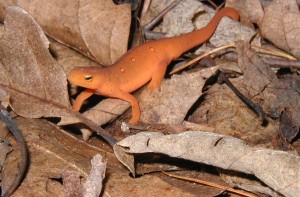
x,y
98,29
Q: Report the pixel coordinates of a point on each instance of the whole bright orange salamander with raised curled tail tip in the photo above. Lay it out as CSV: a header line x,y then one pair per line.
x,y
147,62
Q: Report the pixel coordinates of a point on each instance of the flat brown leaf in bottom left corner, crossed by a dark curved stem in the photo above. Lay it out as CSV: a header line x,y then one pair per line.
x,y
50,155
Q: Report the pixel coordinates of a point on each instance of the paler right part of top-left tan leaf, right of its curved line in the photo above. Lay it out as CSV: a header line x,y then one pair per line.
x,y
104,28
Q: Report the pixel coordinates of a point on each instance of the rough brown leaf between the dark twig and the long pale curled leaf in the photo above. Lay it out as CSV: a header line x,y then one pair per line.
x,y
224,113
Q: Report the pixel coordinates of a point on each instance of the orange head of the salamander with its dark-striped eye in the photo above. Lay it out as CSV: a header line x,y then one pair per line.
x,y
87,77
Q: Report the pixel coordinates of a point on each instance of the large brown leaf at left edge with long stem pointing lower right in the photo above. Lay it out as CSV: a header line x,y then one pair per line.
x,y
37,85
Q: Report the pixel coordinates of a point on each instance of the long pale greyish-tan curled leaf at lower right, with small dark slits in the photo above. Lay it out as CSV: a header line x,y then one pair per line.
x,y
278,169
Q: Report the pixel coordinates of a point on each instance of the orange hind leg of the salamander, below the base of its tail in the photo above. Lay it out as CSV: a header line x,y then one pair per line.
x,y
157,77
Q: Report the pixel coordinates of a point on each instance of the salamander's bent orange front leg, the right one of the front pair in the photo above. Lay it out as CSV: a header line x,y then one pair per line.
x,y
136,112
